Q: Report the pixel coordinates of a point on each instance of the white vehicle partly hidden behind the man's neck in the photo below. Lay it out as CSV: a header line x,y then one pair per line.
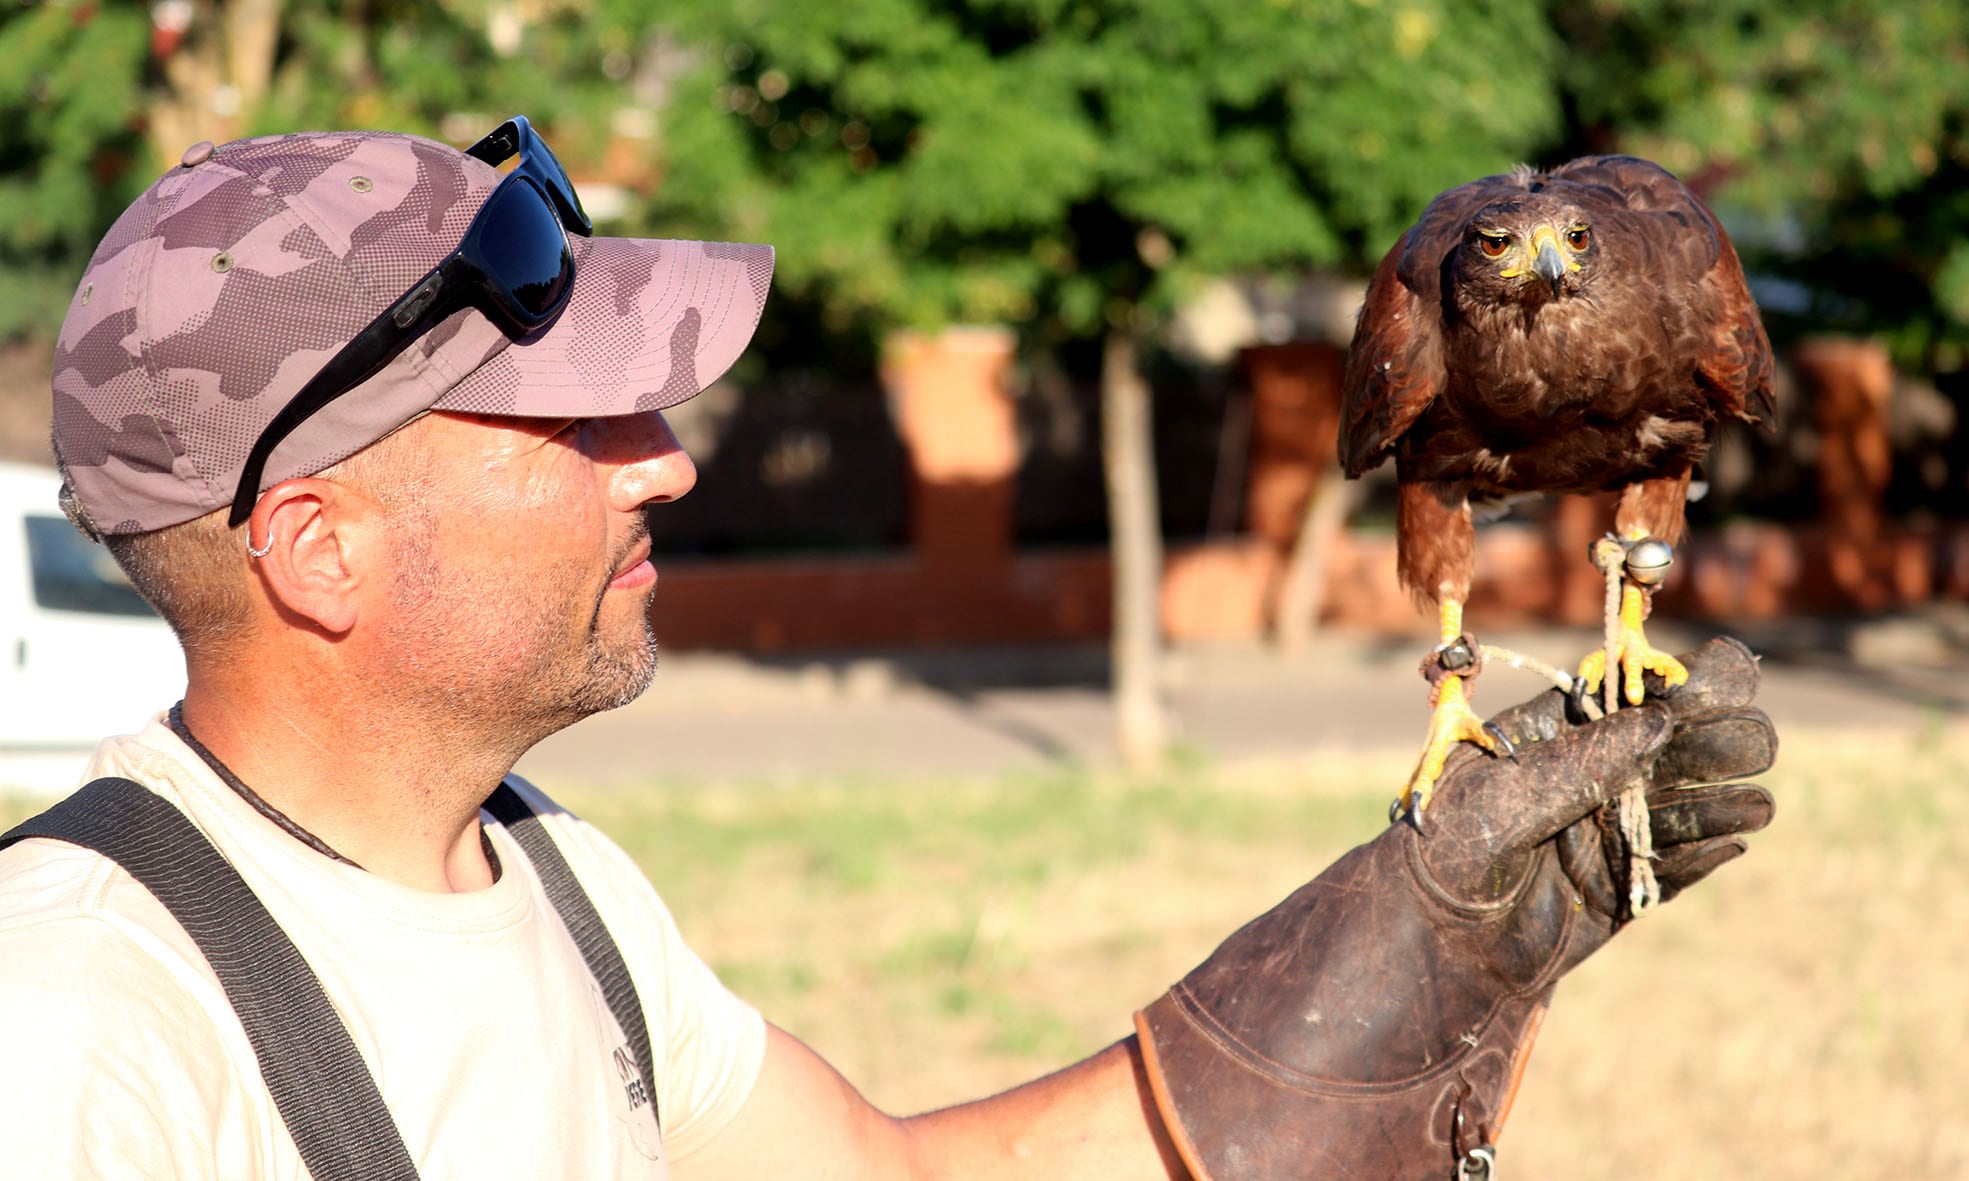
x,y
84,654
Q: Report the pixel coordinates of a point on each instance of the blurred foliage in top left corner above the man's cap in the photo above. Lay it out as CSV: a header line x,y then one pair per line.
x,y
99,95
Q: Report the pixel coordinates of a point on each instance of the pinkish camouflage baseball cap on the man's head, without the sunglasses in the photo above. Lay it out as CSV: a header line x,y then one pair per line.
x,y
241,273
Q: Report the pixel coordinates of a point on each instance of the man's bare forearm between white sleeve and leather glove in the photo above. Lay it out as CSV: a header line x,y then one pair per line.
x,y
1096,1119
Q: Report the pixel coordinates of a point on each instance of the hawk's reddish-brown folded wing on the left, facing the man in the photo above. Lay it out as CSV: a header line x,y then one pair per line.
x,y
1395,365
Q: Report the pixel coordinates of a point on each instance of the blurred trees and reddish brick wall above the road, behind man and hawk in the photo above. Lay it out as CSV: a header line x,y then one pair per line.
x,y
993,218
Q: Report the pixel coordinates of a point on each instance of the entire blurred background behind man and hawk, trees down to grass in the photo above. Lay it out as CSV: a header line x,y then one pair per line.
x,y
1064,290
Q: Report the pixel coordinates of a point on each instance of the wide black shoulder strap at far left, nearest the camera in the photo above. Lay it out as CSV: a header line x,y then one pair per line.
x,y
320,1082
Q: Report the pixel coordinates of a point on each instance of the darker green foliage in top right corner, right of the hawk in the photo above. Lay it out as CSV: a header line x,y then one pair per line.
x,y
1838,131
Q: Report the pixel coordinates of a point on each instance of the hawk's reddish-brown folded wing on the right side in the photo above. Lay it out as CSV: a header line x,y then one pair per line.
x,y
1736,359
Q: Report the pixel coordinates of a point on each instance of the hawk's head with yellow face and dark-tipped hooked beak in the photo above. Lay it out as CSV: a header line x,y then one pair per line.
x,y
1525,251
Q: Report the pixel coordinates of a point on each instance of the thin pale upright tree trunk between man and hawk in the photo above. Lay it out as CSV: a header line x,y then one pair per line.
x,y
1135,540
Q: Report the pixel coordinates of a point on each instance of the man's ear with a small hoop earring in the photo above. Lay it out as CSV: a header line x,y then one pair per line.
x,y
310,544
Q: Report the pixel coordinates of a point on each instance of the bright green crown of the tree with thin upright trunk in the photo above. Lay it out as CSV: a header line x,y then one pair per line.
x,y
1048,160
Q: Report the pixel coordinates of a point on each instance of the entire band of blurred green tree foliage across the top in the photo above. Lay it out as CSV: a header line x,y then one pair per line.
x,y
1033,160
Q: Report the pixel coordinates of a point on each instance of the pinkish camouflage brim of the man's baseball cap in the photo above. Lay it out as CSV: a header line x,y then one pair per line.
x,y
649,324
